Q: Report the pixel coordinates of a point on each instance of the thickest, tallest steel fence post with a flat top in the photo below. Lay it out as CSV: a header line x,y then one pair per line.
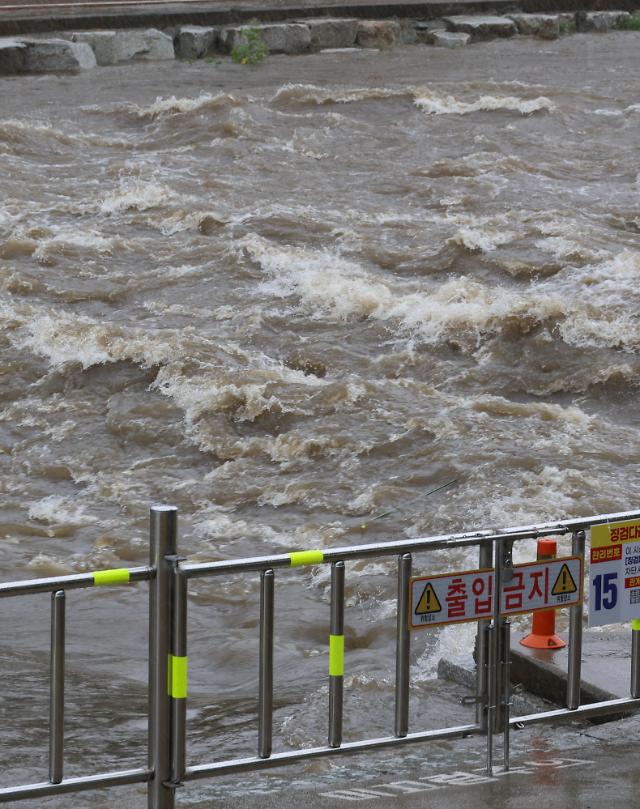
x,y
163,535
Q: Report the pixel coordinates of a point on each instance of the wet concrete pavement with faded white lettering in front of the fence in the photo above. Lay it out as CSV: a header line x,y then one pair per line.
x,y
580,767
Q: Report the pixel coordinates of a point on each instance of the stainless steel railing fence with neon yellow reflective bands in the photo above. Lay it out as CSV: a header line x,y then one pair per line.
x,y
168,575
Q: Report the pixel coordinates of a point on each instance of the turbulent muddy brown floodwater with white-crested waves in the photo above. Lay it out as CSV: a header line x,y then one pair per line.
x,y
295,301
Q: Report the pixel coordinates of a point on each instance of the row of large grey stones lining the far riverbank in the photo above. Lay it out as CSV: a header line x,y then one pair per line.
x,y
84,50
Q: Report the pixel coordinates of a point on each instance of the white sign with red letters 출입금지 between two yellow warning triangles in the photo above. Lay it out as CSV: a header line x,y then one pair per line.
x,y
468,596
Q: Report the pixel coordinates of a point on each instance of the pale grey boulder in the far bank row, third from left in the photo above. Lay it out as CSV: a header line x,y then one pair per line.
x,y
113,47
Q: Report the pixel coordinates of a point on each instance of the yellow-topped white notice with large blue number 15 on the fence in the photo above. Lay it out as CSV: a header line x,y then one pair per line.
x,y
615,573
